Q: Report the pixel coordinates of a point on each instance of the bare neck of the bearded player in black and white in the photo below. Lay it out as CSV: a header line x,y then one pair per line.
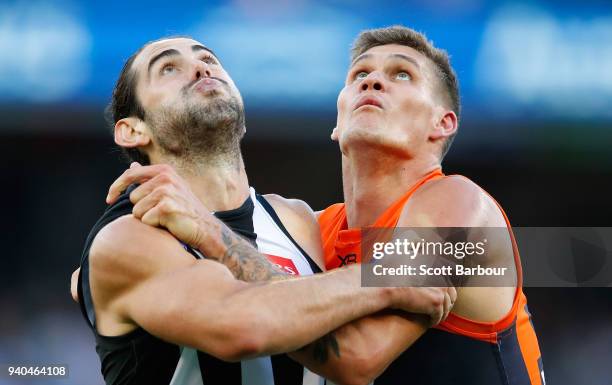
x,y
220,184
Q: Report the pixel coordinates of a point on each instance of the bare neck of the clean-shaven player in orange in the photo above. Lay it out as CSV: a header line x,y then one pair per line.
x,y
373,181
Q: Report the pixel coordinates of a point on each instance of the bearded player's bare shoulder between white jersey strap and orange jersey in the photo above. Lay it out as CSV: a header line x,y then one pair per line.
x,y
301,222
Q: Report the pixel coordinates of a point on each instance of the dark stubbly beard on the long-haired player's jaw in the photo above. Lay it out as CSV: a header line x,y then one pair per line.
x,y
196,132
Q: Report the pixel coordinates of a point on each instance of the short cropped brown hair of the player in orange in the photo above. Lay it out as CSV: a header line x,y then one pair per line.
x,y
449,85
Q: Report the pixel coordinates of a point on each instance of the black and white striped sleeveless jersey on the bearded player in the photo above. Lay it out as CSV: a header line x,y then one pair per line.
x,y
141,358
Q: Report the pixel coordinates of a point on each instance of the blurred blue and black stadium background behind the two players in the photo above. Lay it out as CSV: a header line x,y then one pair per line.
x,y
536,81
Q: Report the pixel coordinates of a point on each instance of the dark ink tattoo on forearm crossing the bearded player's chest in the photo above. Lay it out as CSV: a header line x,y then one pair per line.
x,y
244,261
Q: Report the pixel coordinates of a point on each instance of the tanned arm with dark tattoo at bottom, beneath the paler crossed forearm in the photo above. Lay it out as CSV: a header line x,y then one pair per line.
x,y
360,351
